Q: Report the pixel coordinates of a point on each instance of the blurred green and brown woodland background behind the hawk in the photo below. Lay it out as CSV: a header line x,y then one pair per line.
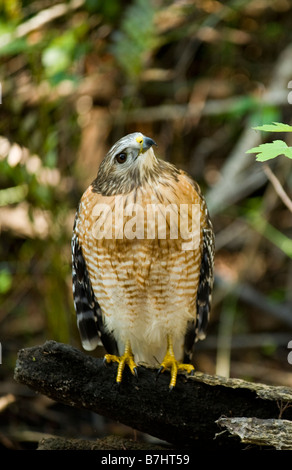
x,y
198,77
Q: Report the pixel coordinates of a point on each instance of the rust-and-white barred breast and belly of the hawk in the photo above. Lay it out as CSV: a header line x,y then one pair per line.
x,y
148,287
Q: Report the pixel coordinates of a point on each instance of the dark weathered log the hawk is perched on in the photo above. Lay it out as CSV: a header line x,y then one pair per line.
x,y
187,417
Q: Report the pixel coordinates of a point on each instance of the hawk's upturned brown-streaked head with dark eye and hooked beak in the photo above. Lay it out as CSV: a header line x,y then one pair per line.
x,y
128,163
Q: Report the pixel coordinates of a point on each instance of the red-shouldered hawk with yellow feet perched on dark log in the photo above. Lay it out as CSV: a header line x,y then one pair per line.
x,y
142,280
